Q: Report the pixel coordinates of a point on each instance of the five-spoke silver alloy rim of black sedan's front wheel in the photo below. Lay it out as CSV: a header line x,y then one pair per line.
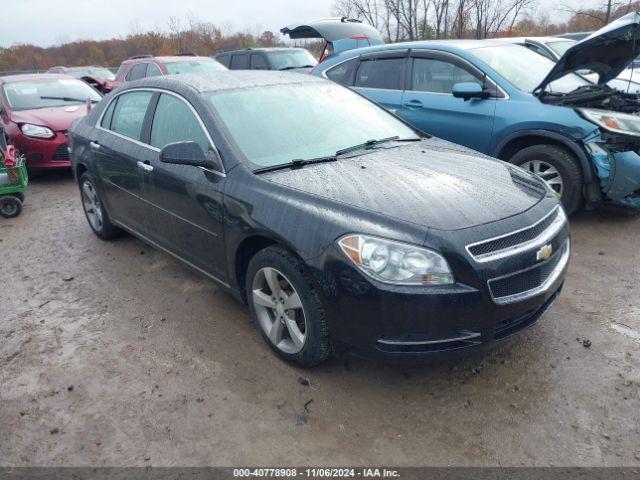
x,y
279,310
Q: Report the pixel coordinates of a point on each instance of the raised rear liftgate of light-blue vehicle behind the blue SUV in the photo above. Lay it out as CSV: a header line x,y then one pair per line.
x,y
343,33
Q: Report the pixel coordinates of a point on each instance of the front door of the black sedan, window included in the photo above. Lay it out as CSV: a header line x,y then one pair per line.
x,y
187,200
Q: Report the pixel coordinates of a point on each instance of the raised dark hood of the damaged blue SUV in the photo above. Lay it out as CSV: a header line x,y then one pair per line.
x,y
606,52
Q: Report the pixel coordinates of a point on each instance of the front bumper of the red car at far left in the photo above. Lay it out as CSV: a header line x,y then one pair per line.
x,y
43,153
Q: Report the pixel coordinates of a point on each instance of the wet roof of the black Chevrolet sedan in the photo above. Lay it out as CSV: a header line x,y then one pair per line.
x,y
223,80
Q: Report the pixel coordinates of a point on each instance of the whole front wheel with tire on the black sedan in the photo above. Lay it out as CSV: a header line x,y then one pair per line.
x,y
281,327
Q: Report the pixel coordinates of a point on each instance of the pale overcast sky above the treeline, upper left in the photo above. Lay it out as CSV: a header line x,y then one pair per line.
x,y
49,22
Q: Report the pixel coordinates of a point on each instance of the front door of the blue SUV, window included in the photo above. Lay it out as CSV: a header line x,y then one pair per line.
x,y
429,105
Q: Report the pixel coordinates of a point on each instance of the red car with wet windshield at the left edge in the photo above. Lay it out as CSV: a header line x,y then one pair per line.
x,y
36,112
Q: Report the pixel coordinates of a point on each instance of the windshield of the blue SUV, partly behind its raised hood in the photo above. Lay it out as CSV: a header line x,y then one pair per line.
x,y
525,69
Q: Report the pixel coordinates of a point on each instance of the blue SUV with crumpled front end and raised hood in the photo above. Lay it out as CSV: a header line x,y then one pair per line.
x,y
509,102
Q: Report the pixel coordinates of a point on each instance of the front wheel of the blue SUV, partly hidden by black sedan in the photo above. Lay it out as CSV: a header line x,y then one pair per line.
x,y
551,162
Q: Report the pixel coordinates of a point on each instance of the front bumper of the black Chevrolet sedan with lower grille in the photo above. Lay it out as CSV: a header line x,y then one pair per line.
x,y
377,320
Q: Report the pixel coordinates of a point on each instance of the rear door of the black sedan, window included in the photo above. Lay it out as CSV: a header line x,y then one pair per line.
x,y
121,158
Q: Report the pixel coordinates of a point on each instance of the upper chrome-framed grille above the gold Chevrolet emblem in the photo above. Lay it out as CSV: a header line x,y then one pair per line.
x,y
519,241
